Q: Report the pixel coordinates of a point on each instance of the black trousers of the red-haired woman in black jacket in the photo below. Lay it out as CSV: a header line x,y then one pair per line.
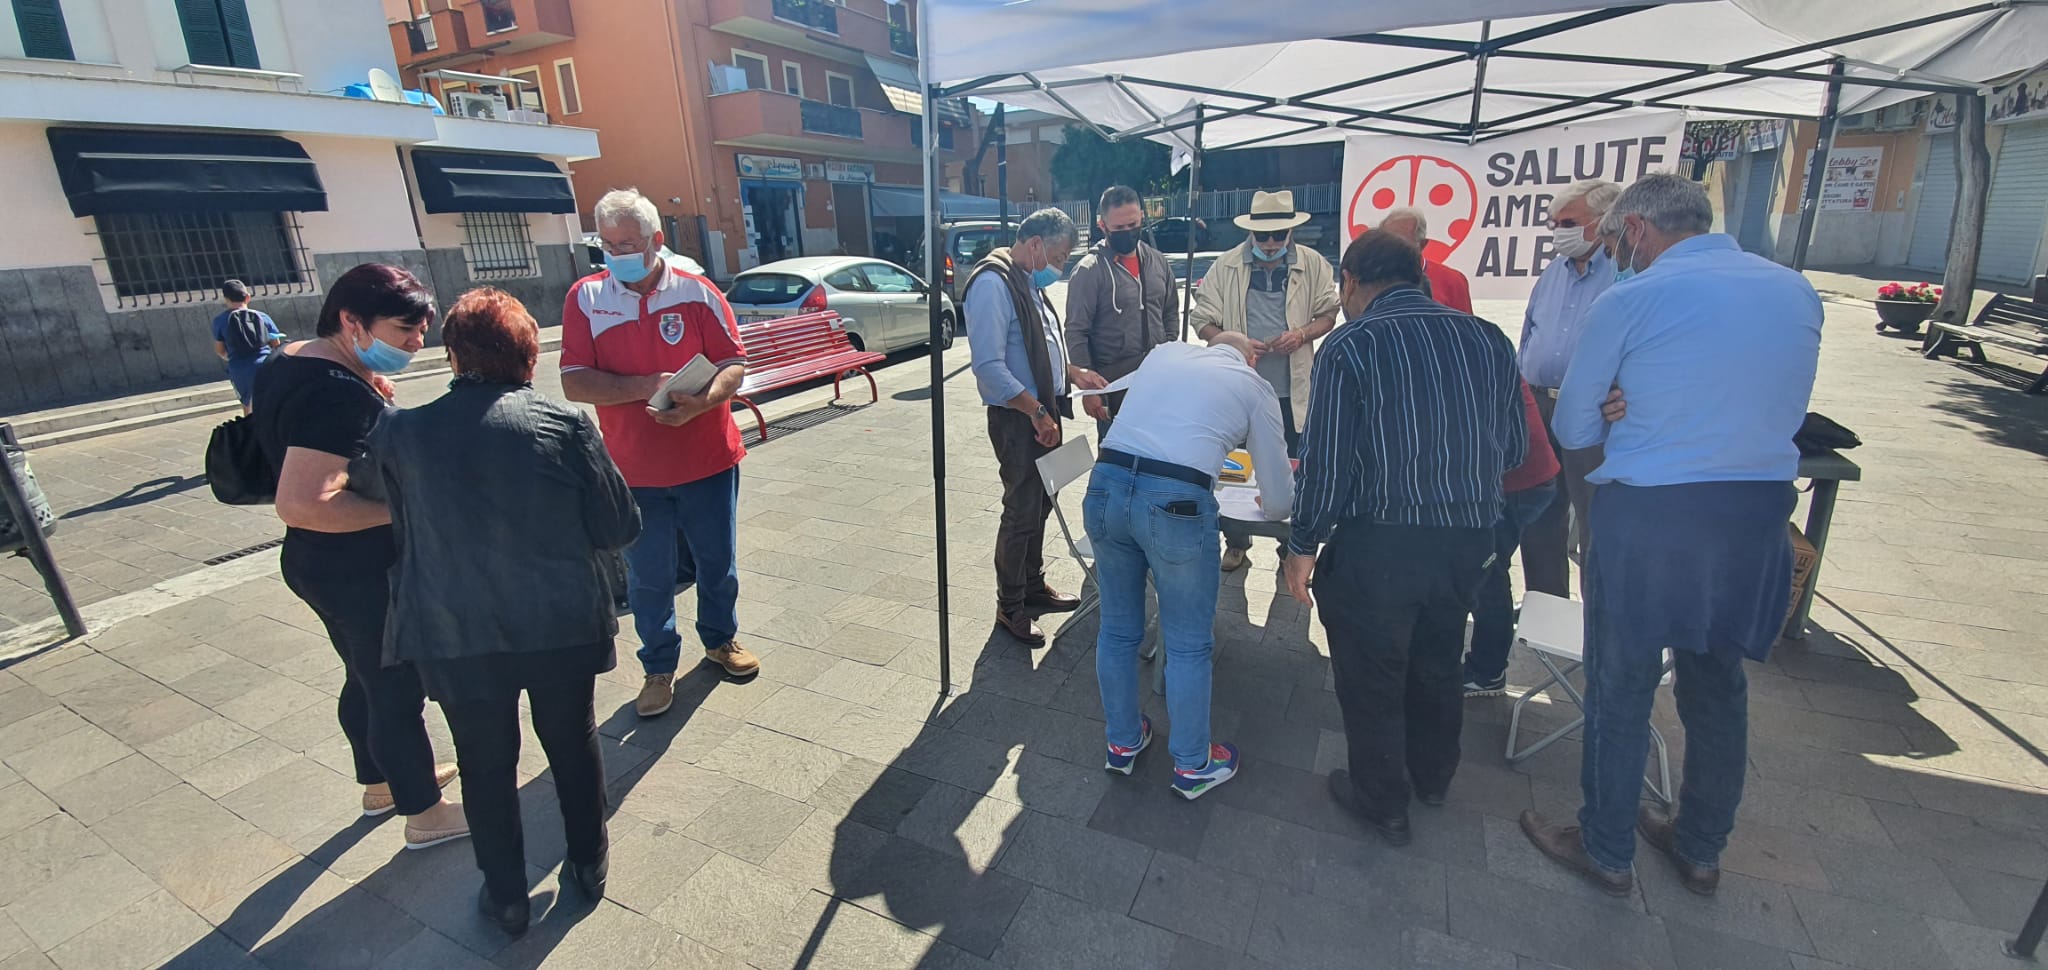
x,y
486,748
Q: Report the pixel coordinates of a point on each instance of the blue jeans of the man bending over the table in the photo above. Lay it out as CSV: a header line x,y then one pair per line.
x,y
1134,535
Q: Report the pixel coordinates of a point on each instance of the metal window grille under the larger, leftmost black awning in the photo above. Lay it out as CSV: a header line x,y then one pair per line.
x,y
171,259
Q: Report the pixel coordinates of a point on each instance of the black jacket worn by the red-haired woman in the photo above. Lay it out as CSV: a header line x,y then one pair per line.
x,y
507,513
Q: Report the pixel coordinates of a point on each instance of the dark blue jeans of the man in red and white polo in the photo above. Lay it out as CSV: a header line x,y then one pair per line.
x,y
706,519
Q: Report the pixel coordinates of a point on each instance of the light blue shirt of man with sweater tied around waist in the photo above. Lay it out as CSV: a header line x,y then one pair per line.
x,y
1715,353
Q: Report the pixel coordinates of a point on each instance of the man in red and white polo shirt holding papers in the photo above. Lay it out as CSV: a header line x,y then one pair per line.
x,y
626,330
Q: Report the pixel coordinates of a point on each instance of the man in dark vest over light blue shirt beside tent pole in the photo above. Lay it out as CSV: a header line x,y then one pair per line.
x,y
1021,369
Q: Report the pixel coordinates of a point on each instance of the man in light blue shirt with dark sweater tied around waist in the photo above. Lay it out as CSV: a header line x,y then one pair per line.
x,y
1715,353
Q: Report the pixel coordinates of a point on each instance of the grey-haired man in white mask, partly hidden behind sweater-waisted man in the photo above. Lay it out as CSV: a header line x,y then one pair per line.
x,y
1551,333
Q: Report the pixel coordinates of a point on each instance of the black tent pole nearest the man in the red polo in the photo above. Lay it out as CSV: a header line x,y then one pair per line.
x,y
935,322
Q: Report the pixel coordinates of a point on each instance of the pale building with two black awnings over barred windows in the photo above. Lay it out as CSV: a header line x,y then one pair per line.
x,y
161,146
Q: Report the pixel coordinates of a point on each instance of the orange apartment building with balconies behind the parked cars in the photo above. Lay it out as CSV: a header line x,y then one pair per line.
x,y
761,128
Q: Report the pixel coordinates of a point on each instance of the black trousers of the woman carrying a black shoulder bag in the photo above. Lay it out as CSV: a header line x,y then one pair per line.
x,y
380,705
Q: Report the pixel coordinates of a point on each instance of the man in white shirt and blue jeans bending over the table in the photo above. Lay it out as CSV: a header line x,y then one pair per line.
x,y
1150,511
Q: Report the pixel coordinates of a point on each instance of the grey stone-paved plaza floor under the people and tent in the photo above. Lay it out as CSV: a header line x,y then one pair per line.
x,y
175,789
